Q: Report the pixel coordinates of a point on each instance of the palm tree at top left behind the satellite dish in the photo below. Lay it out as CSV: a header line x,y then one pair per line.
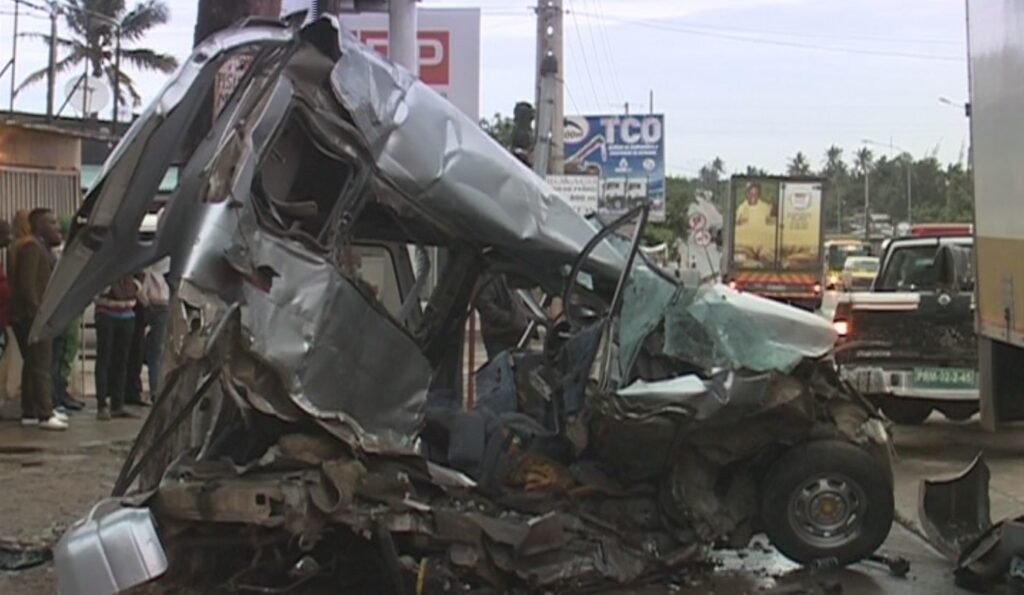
x,y
95,37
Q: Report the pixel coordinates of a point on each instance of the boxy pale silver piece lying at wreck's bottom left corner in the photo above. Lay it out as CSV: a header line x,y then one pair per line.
x,y
110,554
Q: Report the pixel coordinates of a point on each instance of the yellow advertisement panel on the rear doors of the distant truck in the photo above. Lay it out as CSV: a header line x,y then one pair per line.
x,y
778,224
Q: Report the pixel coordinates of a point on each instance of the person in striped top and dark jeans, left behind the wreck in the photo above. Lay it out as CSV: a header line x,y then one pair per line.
x,y
115,326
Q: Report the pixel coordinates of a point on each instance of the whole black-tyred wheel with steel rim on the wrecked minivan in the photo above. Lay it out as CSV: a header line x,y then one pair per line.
x,y
828,501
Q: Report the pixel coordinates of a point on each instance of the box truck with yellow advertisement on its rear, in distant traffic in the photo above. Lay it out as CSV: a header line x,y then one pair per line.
x,y
776,238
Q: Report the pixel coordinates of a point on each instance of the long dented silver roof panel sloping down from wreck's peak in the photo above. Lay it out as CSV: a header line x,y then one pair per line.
x,y
455,172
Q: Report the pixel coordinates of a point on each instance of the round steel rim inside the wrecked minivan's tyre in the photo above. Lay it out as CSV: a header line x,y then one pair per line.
x,y
828,512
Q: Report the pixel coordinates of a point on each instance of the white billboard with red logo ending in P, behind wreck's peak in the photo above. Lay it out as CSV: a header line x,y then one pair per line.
x,y
450,51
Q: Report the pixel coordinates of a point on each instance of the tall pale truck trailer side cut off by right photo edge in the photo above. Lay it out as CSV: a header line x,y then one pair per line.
x,y
996,48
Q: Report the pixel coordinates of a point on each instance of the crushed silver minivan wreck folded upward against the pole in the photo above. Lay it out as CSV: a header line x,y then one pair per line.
x,y
312,427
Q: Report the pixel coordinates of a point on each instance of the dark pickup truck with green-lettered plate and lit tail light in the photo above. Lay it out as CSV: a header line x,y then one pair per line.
x,y
910,345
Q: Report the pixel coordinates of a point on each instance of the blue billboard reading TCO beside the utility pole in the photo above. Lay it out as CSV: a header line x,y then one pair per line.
x,y
627,153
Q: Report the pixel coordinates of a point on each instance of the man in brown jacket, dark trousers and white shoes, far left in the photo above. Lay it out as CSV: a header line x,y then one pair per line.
x,y
34,264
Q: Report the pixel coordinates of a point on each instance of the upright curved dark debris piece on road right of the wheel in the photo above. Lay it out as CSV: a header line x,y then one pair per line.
x,y
955,512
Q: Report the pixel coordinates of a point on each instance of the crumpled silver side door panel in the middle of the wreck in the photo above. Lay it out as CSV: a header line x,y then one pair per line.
x,y
313,327
